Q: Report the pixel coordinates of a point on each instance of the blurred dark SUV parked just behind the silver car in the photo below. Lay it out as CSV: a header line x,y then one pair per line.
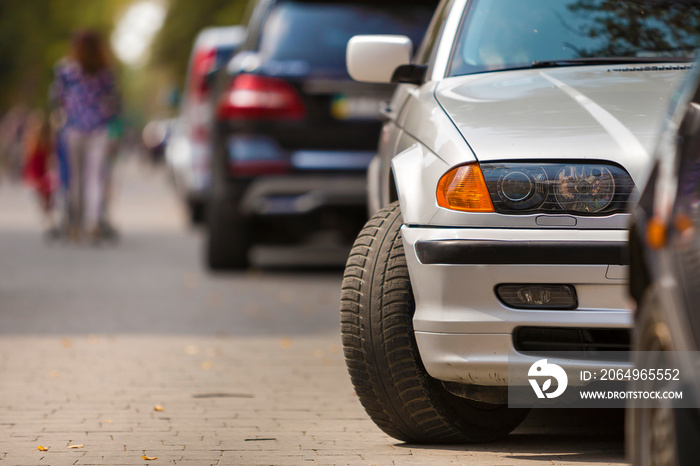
x,y
293,133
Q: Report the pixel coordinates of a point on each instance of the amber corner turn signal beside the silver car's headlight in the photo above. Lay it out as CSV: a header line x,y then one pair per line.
x,y
463,188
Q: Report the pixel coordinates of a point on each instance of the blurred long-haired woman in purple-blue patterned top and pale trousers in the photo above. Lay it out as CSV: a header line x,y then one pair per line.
x,y
85,87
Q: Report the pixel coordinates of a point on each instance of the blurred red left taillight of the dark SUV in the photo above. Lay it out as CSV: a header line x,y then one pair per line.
x,y
258,97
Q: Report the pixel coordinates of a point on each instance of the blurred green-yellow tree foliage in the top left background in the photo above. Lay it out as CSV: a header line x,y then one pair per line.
x,y
35,34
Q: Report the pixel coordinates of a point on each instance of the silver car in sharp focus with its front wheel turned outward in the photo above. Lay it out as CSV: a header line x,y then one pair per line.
x,y
503,183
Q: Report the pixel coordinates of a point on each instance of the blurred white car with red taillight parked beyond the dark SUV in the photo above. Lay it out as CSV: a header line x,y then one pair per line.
x,y
188,149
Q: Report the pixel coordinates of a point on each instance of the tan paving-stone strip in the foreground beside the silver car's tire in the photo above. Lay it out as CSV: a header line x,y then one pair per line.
x,y
224,401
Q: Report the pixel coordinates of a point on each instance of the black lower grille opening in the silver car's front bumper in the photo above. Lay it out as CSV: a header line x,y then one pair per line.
x,y
579,343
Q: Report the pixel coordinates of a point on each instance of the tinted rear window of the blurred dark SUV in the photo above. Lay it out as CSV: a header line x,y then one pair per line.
x,y
317,33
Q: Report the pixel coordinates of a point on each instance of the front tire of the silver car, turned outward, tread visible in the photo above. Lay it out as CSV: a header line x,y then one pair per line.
x,y
381,353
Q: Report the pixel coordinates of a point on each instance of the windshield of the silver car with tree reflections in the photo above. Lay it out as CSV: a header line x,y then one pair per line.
x,y
505,34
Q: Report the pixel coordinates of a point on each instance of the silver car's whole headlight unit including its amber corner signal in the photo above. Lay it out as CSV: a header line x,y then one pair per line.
x,y
578,187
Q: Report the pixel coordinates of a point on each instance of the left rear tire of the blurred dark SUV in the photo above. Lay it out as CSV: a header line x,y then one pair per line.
x,y
228,236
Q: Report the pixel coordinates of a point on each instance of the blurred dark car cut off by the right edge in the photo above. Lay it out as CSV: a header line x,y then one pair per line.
x,y
664,282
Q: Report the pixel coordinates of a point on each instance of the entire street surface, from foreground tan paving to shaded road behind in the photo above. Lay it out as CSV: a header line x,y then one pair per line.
x,y
247,366
